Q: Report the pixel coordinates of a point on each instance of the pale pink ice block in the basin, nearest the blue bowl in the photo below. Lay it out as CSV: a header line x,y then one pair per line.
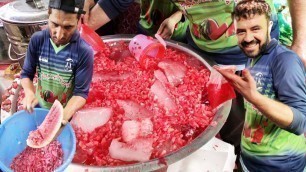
x,y
89,119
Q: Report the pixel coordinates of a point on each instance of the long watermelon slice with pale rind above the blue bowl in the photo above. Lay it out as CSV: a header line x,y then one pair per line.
x,y
47,130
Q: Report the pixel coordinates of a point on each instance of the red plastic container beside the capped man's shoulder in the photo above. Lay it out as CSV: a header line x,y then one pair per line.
x,y
91,37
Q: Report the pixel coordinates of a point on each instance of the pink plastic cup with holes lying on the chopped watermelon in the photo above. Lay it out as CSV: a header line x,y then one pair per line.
x,y
144,47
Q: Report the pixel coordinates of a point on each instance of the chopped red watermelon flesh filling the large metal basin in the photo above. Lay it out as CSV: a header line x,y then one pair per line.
x,y
170,130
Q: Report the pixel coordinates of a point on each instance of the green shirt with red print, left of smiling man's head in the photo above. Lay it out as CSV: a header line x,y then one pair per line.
x,y
211,24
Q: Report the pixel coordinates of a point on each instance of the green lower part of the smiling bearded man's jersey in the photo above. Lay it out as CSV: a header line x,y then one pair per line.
x,y
264,138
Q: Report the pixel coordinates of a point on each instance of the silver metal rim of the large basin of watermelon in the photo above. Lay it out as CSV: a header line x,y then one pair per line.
x,y
204,137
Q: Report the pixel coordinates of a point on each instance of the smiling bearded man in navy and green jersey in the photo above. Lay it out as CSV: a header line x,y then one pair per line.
x,y
274,92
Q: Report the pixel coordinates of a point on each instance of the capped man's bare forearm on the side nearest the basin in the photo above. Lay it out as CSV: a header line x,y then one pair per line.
x,y
73,105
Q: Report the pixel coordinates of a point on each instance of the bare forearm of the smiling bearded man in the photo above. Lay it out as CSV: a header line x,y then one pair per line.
x,y
277,112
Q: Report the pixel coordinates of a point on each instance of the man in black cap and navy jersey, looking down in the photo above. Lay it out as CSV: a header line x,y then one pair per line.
x,y
62,60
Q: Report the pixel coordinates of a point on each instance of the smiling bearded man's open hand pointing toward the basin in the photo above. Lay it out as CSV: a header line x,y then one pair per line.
x,y
245,85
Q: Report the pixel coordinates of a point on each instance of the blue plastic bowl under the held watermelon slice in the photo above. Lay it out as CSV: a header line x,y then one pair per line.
x,y
15,130
